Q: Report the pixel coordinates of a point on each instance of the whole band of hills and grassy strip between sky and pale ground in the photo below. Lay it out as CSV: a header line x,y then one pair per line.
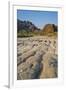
x,y
28,29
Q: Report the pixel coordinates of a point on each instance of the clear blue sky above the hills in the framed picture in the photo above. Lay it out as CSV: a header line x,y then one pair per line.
x,y
39,18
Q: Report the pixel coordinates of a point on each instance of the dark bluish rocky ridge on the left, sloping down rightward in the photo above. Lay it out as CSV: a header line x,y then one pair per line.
x,y
26,25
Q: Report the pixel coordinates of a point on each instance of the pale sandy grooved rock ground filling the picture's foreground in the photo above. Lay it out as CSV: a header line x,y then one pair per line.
x,y
37,57
